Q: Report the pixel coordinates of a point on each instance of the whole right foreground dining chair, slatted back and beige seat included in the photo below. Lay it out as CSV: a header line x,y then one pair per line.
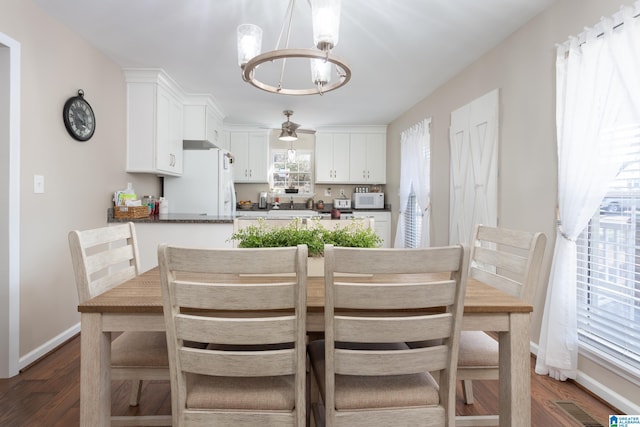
x,y
363,373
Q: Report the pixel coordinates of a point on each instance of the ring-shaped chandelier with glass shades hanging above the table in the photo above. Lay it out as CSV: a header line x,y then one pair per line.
x,y
326,22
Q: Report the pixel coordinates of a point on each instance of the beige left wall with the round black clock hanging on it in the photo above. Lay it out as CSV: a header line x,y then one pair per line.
x,y
79,177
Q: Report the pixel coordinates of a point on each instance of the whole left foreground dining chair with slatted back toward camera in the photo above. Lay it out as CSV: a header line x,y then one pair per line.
x,y
253,371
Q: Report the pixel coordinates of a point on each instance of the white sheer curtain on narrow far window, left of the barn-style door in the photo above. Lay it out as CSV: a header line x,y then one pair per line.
x,y
415,154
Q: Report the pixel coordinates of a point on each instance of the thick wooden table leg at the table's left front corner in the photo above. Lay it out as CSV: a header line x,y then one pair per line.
x,y
95,374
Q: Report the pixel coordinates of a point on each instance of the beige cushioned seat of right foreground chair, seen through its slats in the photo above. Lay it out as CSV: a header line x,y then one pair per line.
x,y
365,392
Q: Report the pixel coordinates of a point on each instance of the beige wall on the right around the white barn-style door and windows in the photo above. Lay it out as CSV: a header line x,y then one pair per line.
x,y
523,68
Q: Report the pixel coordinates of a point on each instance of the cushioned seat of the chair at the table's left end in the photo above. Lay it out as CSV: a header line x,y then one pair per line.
x,y
140,349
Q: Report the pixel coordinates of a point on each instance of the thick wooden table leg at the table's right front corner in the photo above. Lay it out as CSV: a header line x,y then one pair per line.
x,y
515,381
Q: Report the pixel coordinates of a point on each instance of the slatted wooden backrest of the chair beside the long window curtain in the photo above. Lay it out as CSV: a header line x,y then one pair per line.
x,y
508,260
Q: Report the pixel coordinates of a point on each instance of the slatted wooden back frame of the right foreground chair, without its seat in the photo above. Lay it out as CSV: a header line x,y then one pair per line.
x,y
420,296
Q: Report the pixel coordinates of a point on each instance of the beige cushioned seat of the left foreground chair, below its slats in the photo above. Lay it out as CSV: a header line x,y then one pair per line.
x,y
241,393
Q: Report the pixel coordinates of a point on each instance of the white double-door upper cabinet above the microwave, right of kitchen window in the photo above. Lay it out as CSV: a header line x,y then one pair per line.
x,y
351,155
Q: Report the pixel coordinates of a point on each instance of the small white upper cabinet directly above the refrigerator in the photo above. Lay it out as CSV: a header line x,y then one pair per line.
x,y
202,120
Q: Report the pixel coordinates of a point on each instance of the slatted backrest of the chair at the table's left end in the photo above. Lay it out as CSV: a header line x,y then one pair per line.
x,y
103,258
